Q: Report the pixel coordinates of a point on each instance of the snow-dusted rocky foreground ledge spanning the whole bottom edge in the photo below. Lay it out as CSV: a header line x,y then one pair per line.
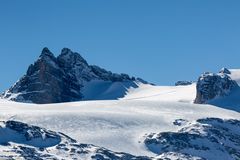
x,y
203,139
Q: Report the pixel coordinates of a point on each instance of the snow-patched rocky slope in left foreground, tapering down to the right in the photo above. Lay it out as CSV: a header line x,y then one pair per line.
x,y
23,141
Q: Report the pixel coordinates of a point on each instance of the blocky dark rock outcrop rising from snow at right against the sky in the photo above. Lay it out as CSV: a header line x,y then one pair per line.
x,y
210,86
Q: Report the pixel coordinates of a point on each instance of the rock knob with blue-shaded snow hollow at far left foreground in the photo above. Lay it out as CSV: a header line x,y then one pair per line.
x,y
18,132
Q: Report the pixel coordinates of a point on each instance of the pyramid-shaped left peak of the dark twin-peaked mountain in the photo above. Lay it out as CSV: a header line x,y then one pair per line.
x,y
45,82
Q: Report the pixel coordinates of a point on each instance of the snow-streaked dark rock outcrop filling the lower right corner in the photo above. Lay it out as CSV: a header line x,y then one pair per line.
x,y
210,139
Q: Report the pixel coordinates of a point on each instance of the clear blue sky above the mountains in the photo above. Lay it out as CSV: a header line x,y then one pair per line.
x,y
161,41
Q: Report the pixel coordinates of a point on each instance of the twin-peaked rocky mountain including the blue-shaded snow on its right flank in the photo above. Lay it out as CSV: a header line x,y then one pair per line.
x,y
67,78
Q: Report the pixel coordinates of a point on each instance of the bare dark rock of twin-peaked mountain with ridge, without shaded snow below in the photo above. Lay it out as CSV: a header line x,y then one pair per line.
x,y
58,79
